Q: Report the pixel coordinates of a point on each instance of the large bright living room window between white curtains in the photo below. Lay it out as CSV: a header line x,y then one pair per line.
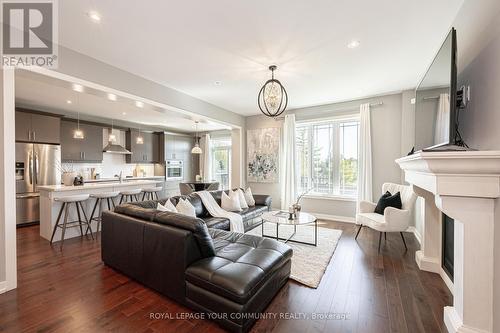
x,y
328,157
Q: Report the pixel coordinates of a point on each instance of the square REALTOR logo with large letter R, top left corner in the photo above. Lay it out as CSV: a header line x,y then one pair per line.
x,y
29,33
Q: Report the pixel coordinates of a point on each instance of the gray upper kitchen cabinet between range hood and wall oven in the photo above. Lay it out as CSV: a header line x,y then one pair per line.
x,y
147,152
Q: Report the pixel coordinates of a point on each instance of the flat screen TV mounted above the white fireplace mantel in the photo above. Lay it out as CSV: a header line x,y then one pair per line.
x,y
435,100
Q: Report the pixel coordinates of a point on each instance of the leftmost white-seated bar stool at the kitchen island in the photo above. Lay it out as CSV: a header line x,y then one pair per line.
x,y
66,201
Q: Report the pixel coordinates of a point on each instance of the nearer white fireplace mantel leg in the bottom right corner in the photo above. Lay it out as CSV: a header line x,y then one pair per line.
x,y
473,306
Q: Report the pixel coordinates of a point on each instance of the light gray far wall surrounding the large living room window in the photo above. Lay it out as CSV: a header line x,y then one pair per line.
x,y
386,122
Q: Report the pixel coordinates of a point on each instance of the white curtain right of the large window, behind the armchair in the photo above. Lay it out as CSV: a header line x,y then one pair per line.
x,y
365,155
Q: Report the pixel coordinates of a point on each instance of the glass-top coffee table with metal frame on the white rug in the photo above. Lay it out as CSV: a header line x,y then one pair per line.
x,y
281,218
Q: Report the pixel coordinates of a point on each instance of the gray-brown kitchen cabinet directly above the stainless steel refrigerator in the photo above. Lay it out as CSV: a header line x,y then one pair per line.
x,y
39,128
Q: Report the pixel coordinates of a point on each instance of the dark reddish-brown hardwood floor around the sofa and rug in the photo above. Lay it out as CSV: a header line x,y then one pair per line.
x,y
72,291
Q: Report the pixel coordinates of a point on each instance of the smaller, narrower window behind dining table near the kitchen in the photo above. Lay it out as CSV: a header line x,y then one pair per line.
x,y
221,161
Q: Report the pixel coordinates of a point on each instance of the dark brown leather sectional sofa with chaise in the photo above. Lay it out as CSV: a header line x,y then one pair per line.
x,y
231,277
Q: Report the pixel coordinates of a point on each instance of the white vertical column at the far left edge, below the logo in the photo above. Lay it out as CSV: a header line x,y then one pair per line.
x,y
8,269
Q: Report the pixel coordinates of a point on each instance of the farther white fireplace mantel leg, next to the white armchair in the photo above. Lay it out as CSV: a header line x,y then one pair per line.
x,y
429,256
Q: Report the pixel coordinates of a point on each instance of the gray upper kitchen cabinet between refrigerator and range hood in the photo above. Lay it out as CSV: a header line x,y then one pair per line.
x,y
88,149
